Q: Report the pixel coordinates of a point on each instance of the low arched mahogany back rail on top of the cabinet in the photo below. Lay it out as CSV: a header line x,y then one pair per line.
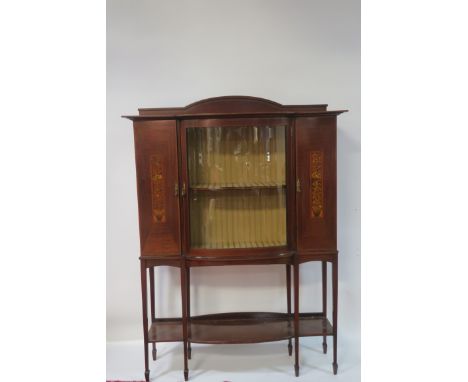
x,y
231,104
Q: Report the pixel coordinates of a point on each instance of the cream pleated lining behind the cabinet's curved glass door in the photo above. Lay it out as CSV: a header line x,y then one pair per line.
x,y
237,181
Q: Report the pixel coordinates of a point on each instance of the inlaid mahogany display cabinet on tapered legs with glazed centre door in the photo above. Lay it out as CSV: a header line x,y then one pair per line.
x,y
229,181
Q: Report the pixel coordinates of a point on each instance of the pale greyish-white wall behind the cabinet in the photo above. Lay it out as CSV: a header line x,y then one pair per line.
x,y
163,54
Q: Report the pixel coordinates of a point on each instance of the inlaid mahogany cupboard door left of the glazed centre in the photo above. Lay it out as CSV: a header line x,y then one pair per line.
x,y
158,187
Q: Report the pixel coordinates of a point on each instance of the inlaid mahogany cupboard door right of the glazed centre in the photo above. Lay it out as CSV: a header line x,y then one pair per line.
x,y
316,183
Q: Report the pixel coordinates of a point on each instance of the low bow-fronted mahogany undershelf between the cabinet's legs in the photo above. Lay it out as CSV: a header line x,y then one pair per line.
x,y
239,328
